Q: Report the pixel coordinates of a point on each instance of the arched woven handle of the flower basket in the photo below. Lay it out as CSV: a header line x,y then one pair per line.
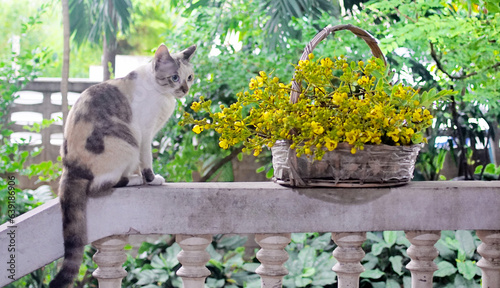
x,y
369,39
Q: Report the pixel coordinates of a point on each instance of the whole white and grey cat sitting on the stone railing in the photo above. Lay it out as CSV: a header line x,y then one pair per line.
x,y
107,142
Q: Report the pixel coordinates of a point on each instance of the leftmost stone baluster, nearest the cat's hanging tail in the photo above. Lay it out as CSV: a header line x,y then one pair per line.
x,y
109,259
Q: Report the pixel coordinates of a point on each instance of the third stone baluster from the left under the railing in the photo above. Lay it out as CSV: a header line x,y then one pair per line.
x,y
272,256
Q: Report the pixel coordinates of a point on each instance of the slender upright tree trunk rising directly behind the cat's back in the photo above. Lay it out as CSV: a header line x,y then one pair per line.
x,y
65,68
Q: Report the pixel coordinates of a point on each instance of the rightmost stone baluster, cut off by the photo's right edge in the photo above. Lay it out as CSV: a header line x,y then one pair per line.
x,y
490,261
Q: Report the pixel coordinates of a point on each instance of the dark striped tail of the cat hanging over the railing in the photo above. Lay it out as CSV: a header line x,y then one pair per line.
x,y
73,199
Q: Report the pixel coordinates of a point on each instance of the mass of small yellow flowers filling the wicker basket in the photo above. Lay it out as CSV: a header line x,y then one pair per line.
x,y
339,102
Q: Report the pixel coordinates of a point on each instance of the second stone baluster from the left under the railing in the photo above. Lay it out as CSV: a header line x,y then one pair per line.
x,y
193,258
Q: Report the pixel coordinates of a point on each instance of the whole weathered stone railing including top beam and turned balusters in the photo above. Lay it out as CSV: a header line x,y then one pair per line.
x,y
195,211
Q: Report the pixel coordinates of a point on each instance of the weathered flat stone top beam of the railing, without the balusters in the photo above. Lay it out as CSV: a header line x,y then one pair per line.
x,y
258,207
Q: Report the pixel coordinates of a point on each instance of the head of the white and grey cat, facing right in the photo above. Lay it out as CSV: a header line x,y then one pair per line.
x,y
173,72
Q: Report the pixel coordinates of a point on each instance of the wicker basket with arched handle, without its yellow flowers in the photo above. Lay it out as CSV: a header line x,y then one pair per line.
x,y
375,166
